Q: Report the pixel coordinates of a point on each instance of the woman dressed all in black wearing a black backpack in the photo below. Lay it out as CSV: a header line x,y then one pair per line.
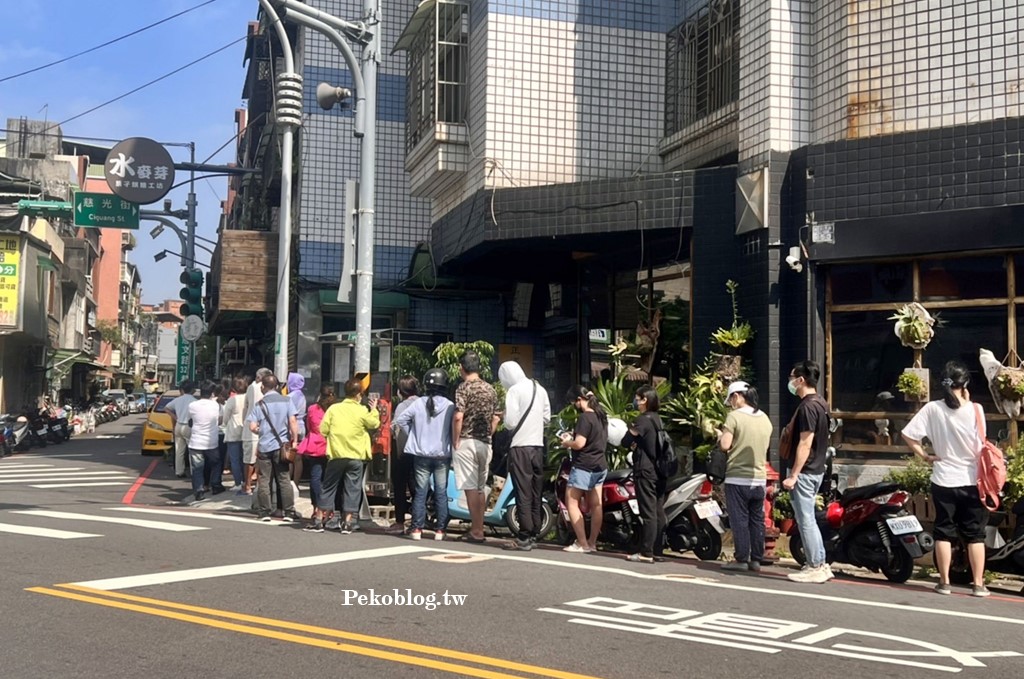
x,y
643,440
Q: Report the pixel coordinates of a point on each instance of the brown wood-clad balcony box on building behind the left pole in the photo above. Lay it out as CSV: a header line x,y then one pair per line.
x,y
243,281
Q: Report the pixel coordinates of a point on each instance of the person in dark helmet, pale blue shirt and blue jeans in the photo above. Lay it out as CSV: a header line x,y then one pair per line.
x,y
428,422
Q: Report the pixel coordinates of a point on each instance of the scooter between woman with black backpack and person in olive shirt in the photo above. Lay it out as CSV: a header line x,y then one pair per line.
x,y
695,521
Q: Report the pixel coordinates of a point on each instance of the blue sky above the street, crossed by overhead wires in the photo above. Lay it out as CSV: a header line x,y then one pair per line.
x,y
196,105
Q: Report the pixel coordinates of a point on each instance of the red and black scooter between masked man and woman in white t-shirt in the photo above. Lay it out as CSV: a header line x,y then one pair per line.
x,y
871,528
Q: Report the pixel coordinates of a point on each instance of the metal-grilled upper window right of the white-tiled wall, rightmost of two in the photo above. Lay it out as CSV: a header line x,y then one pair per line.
x,y
703,68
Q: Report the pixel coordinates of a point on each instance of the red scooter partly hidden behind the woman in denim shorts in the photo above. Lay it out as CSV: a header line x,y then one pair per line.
x,y
621,525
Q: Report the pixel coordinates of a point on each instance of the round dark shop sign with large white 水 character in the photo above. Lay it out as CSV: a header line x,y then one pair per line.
x,y
140,171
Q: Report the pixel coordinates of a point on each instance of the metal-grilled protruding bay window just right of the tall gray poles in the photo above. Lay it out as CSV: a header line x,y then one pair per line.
x,y
439,72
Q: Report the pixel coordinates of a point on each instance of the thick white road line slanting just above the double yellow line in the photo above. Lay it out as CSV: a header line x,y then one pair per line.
x,y
148,580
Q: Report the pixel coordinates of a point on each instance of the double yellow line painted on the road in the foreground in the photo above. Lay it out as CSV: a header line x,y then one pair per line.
x,y
383,649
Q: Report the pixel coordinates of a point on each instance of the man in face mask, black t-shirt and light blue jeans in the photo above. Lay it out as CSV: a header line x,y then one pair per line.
x,y
810,439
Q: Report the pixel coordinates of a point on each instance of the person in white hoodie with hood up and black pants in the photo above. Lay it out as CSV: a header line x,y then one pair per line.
x,y
528,411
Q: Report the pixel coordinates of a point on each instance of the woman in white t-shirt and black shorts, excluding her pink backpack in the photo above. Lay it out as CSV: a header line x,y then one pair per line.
x,y
952,427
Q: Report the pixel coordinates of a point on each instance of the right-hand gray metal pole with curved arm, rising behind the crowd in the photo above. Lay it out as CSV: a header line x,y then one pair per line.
x,y
366,33
